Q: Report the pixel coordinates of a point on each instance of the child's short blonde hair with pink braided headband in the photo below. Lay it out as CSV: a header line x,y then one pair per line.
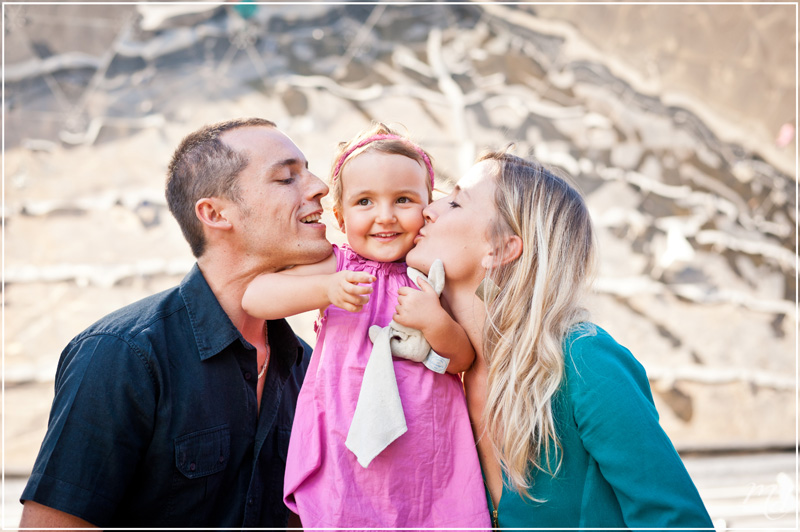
x,y
381,138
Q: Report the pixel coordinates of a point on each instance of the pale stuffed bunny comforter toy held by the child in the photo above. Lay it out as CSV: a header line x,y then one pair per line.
x,y
379,418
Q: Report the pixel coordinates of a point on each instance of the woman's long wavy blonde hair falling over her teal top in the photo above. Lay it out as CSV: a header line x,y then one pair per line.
x,y
538,300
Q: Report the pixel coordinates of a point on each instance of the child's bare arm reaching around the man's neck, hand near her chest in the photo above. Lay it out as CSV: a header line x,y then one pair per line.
x,y
307,287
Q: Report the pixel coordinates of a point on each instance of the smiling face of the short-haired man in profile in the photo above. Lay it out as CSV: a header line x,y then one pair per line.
x,y
277,219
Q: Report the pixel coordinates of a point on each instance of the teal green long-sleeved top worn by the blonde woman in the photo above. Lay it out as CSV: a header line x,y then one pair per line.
x,y
619,468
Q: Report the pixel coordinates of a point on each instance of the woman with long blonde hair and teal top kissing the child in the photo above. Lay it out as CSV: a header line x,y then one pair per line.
x,y
566,429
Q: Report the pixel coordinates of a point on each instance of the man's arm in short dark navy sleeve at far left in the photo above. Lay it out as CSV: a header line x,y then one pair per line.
x,y
104,395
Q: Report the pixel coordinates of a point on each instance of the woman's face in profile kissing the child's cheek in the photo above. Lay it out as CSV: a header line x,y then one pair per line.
x,y
457,229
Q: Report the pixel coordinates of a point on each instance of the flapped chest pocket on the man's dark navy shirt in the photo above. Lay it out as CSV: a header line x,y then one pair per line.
x,y
204,452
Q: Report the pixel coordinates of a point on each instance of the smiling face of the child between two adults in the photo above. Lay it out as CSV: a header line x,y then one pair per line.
x,y
382,200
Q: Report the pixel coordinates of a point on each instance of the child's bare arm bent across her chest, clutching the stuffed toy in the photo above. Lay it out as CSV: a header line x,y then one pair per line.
x,y
422,310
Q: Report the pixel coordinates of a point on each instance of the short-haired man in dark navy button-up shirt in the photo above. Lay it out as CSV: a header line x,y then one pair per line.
x,y
175,411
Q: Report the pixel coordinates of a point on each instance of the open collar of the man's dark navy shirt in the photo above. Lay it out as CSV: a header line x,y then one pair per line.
x,y
214,331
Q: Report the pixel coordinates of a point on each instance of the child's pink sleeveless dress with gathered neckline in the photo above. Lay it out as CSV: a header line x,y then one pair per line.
x,y
429,477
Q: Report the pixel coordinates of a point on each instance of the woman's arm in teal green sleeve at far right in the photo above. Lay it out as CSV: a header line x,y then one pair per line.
x,y
618,425
